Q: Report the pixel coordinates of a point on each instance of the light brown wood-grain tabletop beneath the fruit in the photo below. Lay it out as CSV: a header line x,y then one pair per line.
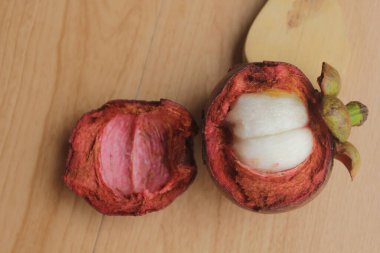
x,y
59,59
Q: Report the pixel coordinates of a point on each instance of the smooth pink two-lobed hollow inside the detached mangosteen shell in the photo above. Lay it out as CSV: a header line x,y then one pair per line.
x,y
133,153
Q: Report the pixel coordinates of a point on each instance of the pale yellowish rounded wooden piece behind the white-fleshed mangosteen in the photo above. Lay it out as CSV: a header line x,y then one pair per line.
x,y
301,32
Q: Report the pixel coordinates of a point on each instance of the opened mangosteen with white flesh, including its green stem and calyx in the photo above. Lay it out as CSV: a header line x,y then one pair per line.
x,y
270,137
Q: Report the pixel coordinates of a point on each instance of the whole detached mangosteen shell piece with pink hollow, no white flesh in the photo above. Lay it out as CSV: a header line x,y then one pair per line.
x,y
132,157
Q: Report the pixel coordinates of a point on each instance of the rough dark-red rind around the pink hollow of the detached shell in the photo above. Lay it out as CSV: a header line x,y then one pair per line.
x,y
83,174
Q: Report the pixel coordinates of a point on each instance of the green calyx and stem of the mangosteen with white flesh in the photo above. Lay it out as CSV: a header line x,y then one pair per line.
x,y
340,118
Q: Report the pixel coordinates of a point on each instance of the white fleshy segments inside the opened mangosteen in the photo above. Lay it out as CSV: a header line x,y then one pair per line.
x,y
270,131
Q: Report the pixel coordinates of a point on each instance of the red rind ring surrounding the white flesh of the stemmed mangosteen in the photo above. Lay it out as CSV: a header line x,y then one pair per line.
x,y
253,189
